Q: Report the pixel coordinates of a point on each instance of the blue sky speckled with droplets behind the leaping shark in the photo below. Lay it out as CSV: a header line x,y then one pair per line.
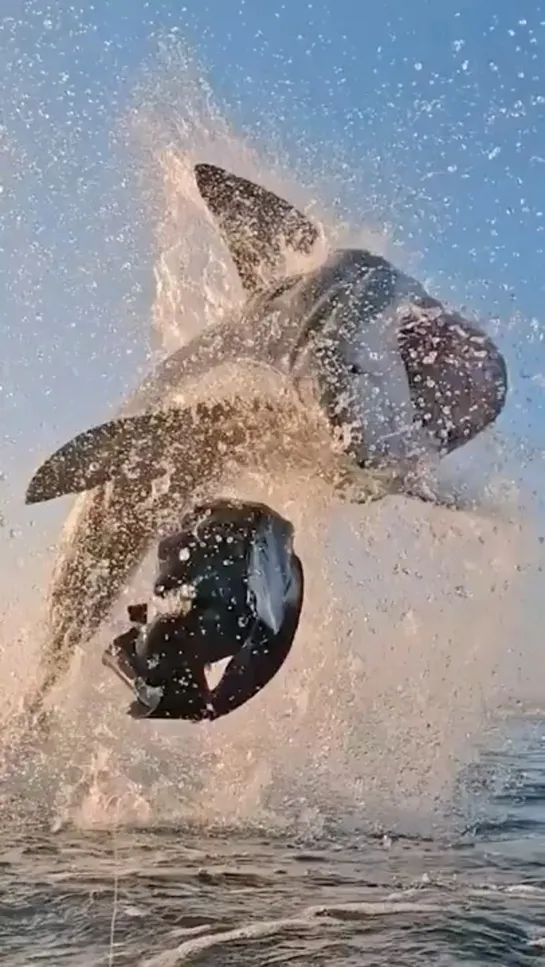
x,y
428,117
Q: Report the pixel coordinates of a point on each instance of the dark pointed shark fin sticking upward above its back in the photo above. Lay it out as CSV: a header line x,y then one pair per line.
x,y
258,227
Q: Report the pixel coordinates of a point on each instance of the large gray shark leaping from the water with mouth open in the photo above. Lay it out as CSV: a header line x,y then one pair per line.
x,y
396,378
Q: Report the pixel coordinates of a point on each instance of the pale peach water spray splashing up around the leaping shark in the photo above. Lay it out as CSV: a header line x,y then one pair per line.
x,y
406,641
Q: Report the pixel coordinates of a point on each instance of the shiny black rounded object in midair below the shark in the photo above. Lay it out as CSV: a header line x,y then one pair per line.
x,y
231,586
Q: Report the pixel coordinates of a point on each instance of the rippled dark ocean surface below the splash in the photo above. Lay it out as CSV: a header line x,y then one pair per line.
x,y
330,892
